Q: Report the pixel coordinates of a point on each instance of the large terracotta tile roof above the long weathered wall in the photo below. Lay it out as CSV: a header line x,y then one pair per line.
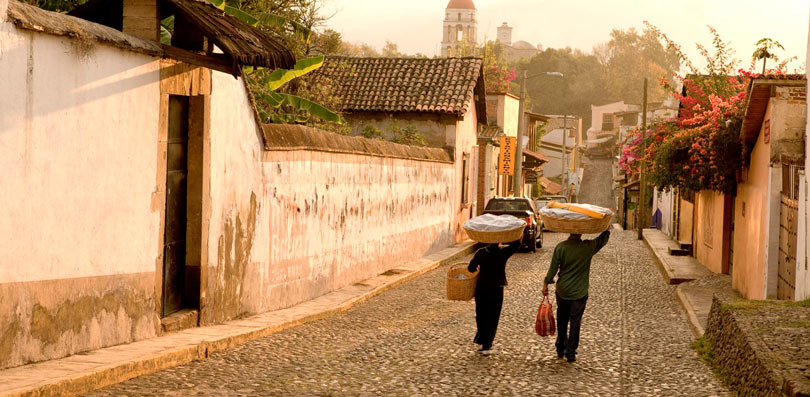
x,y
440,85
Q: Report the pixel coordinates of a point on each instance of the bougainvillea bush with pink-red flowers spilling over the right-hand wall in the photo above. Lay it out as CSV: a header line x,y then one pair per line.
x,y
701,149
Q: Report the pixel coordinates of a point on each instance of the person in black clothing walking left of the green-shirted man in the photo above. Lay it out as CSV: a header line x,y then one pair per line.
x,y
491,260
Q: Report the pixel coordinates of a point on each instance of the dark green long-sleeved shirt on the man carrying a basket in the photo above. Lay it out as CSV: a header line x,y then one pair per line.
x,y
572,258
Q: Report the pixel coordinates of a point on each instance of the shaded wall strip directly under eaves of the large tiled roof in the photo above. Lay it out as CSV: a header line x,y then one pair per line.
x,y
432,126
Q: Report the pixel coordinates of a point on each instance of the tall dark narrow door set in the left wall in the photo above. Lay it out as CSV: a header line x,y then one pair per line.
x,y
174,237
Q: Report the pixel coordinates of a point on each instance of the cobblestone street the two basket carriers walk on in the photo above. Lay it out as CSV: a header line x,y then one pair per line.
x,y
411,341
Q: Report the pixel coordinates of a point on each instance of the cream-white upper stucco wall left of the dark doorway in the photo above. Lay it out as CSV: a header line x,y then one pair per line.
x,y
78,133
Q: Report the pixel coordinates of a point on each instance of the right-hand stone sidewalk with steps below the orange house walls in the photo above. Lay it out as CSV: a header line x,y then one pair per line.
x,y
696,285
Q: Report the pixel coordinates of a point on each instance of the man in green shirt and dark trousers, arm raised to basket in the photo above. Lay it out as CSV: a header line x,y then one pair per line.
x,y
572,258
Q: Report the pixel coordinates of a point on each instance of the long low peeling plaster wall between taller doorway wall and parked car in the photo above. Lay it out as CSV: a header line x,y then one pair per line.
x,y
336,219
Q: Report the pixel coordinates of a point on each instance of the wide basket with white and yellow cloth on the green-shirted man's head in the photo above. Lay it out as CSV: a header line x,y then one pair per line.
x,y
575,218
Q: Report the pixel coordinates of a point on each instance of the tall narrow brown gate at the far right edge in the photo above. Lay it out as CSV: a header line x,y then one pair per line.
x,y
788,216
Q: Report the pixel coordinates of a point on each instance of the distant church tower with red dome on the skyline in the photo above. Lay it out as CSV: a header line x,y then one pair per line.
x,y
460,26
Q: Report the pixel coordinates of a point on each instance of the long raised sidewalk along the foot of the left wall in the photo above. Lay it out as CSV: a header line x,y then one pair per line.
x,y
92,370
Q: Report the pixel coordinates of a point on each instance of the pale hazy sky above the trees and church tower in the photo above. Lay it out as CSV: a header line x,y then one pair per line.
x,y
416,25
